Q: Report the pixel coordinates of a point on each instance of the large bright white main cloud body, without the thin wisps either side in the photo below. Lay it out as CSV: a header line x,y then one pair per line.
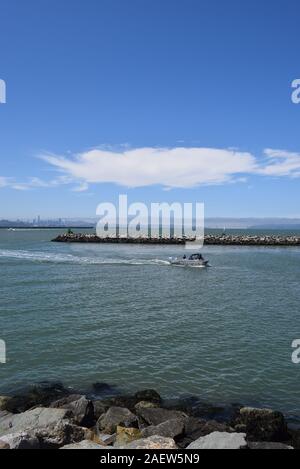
x,y
176,167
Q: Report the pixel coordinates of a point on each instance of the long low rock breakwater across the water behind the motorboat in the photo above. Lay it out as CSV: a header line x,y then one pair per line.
x,y
210,240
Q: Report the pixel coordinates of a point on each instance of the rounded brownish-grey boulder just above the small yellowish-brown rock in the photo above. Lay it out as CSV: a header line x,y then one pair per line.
x,y
114,417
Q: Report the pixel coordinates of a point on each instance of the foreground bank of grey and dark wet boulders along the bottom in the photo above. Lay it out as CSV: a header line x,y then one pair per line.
x,y
49,416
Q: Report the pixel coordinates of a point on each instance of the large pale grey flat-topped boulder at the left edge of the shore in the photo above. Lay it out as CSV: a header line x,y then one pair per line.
x,y
31,420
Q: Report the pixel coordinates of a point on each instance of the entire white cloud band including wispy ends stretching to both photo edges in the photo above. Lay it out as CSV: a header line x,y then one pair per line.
x,y
178,167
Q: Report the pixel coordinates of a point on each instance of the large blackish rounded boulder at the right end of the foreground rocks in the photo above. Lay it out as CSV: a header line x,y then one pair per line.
x,y
262,425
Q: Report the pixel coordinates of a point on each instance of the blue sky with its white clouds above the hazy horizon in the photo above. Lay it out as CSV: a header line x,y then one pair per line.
x,y
165,100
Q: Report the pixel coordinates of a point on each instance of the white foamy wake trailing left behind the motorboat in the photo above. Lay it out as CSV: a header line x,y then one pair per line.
x,y
43,257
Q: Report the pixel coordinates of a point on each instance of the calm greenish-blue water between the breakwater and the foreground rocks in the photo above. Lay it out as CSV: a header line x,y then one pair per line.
x,y
120,314
